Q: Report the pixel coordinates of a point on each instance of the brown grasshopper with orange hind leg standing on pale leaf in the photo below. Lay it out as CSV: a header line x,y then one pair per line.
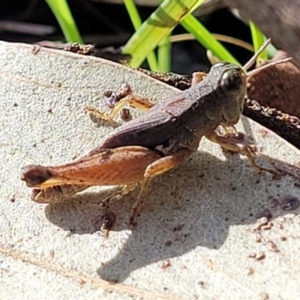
x,y
157,141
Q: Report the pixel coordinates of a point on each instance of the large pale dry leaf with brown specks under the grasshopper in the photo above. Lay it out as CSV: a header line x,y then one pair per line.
x,y
200,217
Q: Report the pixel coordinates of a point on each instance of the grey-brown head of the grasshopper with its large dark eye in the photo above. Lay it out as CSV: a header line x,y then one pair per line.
x,y
232,85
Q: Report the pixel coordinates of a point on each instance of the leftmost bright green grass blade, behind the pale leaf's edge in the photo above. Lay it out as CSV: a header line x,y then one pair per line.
x,y
65,19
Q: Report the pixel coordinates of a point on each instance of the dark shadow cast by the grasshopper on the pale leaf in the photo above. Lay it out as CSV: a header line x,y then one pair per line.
x,y
192,206
